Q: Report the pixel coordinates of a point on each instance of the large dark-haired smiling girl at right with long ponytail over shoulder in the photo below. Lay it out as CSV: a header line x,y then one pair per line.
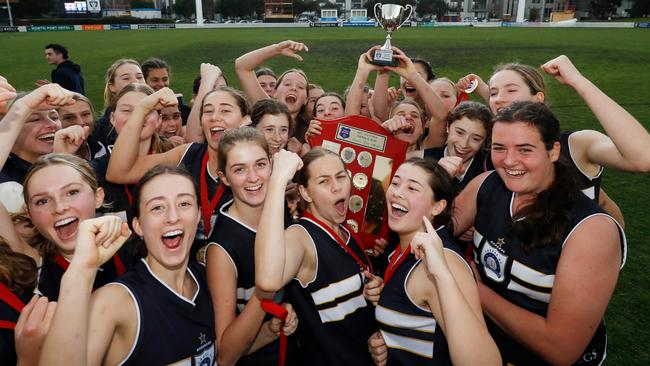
x,y
544,285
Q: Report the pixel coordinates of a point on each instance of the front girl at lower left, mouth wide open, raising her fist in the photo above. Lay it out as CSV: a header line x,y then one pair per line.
x,y
159,313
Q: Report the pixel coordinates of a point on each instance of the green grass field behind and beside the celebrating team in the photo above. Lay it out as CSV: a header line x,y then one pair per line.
x,y
617,60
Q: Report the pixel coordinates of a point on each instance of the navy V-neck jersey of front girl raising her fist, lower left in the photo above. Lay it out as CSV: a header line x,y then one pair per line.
x,y
171,328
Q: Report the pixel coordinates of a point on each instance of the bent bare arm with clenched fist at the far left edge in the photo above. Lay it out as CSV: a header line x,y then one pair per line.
x,y
48,96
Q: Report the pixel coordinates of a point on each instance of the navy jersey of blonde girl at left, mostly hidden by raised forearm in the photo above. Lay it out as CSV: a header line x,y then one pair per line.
x,y
50,274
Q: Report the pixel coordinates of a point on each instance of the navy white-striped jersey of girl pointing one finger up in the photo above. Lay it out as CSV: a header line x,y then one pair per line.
x,y
409,330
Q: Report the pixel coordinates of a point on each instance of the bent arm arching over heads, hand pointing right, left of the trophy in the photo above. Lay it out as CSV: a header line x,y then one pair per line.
x,y
245,66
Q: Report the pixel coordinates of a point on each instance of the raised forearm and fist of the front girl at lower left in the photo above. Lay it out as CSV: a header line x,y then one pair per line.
x,y
67,342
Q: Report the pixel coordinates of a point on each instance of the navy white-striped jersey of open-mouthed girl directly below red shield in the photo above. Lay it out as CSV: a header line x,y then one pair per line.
x,y
335,319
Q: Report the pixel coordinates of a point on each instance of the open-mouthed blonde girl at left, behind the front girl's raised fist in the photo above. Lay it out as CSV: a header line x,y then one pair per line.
x,y
60,192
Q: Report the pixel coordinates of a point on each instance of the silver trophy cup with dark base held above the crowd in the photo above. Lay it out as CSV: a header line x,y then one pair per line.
x,y
390,17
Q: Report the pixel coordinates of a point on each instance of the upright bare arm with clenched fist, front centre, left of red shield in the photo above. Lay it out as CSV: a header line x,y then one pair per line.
x,y
278,254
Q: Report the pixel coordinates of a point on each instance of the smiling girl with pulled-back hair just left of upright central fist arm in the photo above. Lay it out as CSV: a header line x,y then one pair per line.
x,y
245,335
